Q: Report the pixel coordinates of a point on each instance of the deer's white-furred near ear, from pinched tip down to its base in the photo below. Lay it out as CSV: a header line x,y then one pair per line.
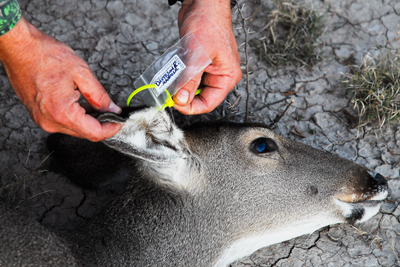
x,y
151,136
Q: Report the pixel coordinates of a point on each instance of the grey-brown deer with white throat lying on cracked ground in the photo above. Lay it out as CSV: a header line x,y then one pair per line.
x,y
206,195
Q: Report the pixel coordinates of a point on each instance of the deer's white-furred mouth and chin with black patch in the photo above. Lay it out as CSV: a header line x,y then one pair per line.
x,y
360,208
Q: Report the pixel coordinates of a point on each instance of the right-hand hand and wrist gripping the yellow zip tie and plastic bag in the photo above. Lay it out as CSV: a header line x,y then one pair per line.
x,y
210,21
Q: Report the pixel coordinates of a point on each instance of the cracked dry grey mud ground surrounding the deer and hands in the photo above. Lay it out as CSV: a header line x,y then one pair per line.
x,y
119,39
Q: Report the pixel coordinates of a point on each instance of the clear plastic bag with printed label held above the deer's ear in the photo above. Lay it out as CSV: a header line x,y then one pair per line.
x,y
178,65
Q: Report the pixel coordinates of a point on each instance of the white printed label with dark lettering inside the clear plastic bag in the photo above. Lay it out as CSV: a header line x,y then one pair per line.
x,y
167,75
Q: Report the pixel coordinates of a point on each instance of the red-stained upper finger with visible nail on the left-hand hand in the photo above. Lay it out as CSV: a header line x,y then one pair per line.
x,y
94,92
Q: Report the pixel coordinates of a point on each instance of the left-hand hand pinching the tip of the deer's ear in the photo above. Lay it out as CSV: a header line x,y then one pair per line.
x,y
49,77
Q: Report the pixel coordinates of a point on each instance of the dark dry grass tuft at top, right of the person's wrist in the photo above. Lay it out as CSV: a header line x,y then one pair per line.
x,y
290,35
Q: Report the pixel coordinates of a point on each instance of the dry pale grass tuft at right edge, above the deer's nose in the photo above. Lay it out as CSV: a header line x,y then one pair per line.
x,y
375,85
